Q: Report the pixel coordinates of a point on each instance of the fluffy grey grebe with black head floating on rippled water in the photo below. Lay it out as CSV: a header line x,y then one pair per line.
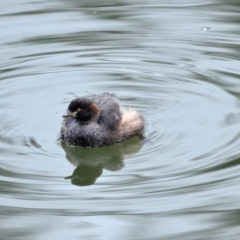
x,y
99,120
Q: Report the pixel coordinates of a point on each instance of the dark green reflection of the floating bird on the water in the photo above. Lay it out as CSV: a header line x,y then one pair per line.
x,y
90,162
